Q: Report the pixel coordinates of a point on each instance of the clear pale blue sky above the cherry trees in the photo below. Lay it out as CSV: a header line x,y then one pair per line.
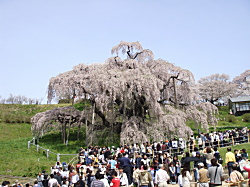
x,y
41,38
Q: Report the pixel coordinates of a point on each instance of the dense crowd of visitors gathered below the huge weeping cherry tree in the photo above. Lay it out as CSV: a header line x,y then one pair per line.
x,y
157,164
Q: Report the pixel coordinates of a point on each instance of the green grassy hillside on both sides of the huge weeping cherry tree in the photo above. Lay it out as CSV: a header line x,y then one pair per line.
x,y
17,160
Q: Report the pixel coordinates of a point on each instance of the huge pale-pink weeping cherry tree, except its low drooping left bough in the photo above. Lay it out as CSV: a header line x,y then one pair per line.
x,y
138,97
